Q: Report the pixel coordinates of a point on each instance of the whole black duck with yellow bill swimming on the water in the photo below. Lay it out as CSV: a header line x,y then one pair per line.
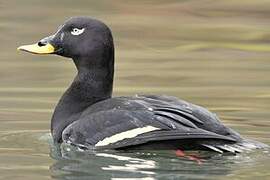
x,y
87,116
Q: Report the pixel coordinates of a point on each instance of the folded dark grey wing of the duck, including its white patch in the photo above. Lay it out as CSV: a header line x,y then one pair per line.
x,y
142,120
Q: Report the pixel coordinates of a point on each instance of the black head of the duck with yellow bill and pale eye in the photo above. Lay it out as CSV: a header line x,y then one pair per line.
x,y
79,38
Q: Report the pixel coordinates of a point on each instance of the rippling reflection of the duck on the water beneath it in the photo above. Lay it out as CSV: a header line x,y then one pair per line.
x,y
74,164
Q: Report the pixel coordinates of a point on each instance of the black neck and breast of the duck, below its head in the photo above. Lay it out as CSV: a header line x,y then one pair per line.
x,y
93,83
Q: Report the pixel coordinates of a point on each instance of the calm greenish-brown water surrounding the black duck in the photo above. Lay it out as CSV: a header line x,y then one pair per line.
x,y
212,53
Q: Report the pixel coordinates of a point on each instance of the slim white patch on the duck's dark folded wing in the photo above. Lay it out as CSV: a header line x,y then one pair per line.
x,y
127,134
